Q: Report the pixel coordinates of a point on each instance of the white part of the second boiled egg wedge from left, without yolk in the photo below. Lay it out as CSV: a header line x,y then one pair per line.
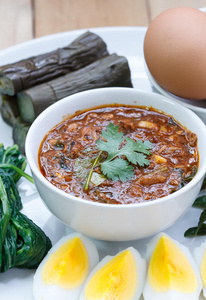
x,y
140,268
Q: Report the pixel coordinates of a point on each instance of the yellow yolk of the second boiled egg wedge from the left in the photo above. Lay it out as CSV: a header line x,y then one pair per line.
x,y
117,279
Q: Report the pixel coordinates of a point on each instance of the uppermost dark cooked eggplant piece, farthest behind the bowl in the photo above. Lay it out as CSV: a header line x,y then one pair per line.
x,y
35,70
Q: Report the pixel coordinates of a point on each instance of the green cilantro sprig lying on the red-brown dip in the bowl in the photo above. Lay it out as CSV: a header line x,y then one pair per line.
x,y
118,164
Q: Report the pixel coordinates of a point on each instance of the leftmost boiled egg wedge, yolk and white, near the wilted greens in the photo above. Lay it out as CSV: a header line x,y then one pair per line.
x,y
65,268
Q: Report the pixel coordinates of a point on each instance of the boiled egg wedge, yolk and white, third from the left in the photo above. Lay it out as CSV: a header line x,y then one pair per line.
x,y
172,271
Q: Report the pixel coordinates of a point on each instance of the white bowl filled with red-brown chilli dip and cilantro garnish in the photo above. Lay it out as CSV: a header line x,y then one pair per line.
x,y
117,164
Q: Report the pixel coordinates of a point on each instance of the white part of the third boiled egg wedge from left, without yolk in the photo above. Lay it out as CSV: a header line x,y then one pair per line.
x,y
149,292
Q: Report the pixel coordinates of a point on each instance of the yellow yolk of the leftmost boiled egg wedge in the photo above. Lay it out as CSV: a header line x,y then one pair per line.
x,y
68,266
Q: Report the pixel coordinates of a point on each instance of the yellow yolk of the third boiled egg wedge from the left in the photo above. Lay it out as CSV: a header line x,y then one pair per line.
x,y
169,269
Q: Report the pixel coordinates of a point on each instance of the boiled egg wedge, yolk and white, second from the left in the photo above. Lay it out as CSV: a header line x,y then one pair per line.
x,y
116,277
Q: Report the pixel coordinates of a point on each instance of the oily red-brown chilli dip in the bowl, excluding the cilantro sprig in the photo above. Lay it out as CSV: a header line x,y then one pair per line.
x,y
67,151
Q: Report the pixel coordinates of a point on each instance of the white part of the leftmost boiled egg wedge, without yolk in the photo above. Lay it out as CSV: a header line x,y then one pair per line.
x,y
41,291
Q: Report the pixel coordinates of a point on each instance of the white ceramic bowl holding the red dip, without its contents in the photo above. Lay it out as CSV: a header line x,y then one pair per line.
x,y
106,221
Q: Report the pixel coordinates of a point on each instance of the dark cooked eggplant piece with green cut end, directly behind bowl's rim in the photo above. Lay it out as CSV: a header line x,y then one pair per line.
x,y
112,70
